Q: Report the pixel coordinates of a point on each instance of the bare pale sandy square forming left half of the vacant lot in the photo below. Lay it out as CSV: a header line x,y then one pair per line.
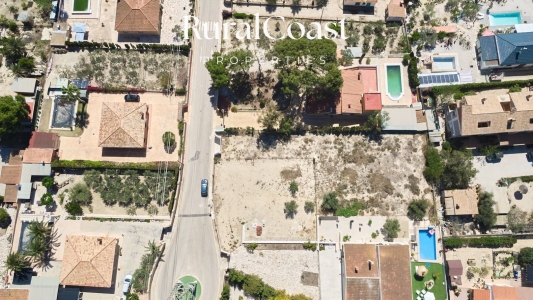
x,y
254,194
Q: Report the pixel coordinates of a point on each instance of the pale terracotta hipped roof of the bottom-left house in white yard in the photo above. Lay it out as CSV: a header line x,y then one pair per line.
x,y
88,261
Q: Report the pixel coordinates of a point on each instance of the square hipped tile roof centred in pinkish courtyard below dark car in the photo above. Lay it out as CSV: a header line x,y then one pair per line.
x,y
123,125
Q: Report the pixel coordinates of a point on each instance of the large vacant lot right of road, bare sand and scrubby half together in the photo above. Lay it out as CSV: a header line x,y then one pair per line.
x,y
250,185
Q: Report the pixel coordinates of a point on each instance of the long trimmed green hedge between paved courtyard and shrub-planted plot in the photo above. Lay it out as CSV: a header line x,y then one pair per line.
x,y
90,164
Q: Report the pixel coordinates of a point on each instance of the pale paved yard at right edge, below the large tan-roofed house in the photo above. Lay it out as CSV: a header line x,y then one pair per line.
x,y
513,164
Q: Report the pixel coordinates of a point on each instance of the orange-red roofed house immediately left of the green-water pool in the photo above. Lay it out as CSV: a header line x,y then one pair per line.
x,y
359,94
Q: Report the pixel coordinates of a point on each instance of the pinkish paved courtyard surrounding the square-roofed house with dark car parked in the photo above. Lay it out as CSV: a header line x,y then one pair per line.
x,y
163,118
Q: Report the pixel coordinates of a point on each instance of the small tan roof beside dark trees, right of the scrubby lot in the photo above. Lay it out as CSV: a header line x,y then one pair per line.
x,y
461,202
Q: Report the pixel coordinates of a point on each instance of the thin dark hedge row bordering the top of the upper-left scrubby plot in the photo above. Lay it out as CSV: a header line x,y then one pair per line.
x,y
183,49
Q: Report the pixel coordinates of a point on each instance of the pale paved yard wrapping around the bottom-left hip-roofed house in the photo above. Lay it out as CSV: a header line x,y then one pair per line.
x,y
132,237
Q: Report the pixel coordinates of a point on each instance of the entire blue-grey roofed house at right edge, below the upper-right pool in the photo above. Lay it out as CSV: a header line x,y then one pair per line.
x,y
511,50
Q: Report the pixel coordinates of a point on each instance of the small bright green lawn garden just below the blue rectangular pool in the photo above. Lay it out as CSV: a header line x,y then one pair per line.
x,y
428,275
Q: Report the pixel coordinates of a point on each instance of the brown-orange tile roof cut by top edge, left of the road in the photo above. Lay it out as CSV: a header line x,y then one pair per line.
x,y
138,16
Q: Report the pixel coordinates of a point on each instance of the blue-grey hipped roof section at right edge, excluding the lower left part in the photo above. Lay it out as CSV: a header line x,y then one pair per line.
x,y
515,48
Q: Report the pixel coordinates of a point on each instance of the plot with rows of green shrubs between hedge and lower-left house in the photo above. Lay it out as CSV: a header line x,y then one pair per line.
x,y
119,192
